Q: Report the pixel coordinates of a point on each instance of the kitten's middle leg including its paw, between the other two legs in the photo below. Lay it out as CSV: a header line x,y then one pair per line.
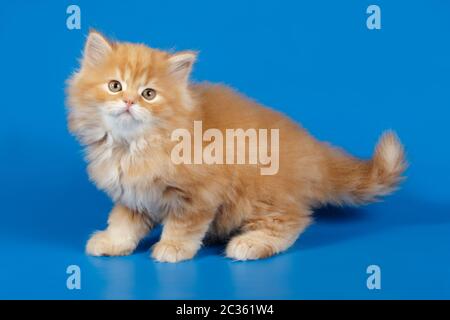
x,y
182,236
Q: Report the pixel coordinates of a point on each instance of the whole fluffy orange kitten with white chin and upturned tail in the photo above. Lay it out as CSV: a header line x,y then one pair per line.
x,y
124,104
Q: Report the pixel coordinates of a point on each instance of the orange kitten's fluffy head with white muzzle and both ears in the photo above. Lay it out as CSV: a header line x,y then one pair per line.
x,y
127,89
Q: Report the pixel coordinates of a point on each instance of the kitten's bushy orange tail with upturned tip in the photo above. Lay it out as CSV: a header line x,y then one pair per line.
x,y
355,181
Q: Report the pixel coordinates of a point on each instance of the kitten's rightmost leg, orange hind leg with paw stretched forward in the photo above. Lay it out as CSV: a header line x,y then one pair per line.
x,y
268,233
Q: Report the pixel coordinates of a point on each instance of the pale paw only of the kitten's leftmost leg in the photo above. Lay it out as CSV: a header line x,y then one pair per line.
x,y
103,244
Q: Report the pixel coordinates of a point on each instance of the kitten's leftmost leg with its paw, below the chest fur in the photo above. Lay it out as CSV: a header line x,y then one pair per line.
x,y
125,229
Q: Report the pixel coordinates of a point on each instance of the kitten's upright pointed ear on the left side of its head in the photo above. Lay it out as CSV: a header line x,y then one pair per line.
x,y
96,50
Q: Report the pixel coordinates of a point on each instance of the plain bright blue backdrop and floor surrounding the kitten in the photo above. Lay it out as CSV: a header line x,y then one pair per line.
x,y
317,62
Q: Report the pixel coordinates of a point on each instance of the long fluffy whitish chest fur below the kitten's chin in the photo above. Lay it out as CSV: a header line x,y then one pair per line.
x,y
131,175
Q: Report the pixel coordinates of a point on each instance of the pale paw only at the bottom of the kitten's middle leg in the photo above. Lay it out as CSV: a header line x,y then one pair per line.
x,y
172,251
